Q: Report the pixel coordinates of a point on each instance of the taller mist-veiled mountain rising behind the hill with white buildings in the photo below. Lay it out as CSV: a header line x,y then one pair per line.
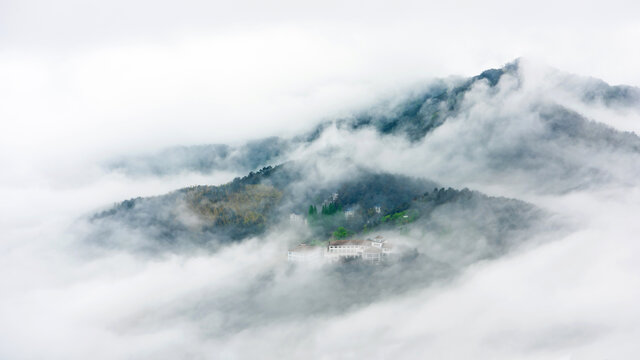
x,y
509,120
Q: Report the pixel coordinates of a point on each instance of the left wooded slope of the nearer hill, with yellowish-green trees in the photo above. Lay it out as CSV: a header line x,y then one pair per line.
x,y
243,207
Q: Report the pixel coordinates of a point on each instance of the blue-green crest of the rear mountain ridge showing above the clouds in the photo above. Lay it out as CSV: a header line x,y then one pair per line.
x,y
413,118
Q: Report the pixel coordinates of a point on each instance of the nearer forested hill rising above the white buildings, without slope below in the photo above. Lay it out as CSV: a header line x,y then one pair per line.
x,y
211,216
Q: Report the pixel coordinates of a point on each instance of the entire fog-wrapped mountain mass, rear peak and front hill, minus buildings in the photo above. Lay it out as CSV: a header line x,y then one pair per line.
x,y
369,174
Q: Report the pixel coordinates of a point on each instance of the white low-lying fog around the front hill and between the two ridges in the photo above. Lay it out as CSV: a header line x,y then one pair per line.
x,y
566,292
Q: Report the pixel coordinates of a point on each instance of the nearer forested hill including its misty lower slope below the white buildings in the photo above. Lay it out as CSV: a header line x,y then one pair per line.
x,y
437,232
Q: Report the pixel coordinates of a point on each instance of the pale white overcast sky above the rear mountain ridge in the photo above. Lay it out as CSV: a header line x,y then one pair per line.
x,y
131,75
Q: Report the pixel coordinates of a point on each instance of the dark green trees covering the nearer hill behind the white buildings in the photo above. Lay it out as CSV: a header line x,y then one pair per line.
x,y
248,206
